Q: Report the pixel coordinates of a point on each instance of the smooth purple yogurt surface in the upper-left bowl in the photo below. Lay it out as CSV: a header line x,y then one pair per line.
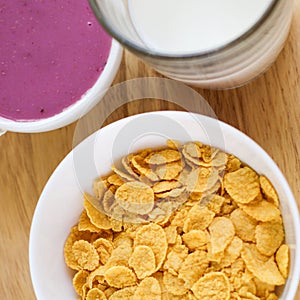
x,y
51,53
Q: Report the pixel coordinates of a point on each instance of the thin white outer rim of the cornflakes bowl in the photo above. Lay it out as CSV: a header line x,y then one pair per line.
x,y
294,281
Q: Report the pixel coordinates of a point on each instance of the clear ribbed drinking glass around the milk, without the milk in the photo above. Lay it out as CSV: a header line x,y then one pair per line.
x,y
227,66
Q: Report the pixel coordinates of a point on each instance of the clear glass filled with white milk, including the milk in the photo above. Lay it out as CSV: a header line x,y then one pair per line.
x,y
215,44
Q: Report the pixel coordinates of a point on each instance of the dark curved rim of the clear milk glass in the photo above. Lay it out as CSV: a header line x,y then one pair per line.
x,y
159,55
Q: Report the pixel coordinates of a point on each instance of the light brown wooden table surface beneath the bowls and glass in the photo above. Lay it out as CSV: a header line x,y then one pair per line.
x,y
267,109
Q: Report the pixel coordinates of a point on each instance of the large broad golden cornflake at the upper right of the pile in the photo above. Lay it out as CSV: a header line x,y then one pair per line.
x,y
242,185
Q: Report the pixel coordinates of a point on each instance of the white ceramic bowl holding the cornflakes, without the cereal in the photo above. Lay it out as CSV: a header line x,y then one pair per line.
x,y
61,201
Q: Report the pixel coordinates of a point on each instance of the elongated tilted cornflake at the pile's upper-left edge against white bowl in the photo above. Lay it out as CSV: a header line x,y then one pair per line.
x,y
97,218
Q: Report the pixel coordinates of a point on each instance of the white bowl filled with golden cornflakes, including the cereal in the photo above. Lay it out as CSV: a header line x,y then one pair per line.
x,y
193,210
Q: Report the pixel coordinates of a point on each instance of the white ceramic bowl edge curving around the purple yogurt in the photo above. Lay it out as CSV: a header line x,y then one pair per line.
x,y
75,111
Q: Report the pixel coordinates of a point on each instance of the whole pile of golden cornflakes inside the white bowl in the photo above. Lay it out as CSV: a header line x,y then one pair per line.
x,y
182,222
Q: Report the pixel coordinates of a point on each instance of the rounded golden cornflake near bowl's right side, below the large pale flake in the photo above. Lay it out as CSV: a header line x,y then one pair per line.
x,y
269,236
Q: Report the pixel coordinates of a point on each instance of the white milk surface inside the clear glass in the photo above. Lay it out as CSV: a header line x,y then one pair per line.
x,y
191,26
